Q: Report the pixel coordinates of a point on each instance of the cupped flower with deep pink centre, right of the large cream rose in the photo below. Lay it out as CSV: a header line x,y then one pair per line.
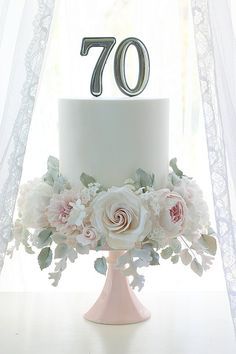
x,y
170,212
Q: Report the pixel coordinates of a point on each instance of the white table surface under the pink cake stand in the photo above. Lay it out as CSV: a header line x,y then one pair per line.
x,y
181,323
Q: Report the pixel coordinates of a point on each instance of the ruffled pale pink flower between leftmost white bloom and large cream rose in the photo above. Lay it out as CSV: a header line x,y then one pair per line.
x,y
66,212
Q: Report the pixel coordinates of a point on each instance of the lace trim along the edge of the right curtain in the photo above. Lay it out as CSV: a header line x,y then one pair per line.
x,y
216,149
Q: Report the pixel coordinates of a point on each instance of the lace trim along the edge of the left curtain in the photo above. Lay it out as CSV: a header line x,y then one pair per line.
x,y
33,63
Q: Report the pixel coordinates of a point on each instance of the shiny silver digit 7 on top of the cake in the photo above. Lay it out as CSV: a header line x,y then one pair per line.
x,y
107,43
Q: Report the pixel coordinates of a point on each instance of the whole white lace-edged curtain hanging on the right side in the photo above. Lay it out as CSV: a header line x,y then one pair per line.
x,y
216,48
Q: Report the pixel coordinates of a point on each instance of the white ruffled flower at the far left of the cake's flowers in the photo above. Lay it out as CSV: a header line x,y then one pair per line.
x,y
33,201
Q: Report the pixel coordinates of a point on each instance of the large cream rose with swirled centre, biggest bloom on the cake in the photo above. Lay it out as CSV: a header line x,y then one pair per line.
x,y
121,217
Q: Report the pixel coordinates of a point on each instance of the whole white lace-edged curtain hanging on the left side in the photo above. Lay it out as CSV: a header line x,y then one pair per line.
x,y
24,30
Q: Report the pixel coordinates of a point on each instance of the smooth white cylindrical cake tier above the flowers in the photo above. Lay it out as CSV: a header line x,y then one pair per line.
x,y
110,139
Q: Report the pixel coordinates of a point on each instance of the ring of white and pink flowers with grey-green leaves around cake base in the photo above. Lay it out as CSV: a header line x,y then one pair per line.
x,y
147,223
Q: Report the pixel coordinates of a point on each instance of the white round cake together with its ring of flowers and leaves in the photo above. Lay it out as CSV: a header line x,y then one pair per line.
x,y
111,189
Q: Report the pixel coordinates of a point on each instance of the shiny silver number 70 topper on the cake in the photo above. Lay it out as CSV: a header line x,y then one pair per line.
x,y
119,63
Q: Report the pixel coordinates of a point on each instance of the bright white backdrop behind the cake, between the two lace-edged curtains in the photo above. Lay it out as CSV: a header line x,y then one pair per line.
x,y
167,35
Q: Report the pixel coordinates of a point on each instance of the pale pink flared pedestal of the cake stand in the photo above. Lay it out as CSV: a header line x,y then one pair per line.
x,y
117,303
